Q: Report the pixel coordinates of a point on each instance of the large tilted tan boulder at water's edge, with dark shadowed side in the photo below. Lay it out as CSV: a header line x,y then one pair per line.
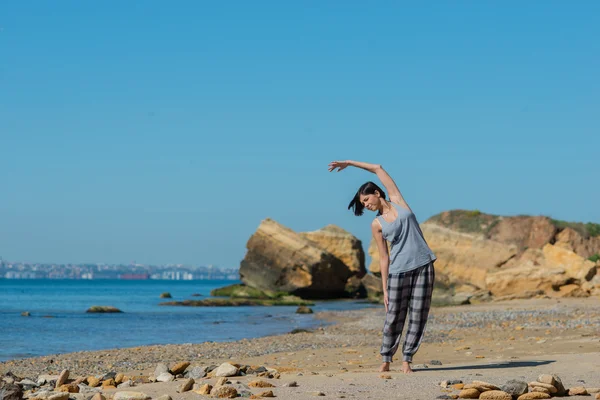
x,y
279,259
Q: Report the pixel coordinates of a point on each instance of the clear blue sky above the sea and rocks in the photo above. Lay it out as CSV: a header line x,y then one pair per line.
x,y
166,131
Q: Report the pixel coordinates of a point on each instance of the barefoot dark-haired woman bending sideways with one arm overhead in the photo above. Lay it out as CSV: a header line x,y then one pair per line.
x,y
407,271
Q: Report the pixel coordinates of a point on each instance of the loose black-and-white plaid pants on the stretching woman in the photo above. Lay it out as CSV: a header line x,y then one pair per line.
x,y
408,292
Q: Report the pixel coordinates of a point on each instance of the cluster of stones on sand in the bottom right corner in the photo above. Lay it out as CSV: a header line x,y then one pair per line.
x,y
545,387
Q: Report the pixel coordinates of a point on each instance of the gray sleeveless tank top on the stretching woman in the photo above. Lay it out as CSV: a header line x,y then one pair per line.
x,y
408,248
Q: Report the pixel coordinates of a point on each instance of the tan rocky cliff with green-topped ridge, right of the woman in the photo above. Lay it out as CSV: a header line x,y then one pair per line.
x,y
510,256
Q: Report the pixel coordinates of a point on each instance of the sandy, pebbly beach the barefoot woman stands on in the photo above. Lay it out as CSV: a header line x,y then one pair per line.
x,y
493,342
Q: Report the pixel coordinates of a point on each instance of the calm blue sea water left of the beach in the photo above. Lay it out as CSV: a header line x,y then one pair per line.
x,y
59,322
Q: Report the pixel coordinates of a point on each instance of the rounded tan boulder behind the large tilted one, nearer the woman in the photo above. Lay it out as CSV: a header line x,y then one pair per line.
x,y
342,244
